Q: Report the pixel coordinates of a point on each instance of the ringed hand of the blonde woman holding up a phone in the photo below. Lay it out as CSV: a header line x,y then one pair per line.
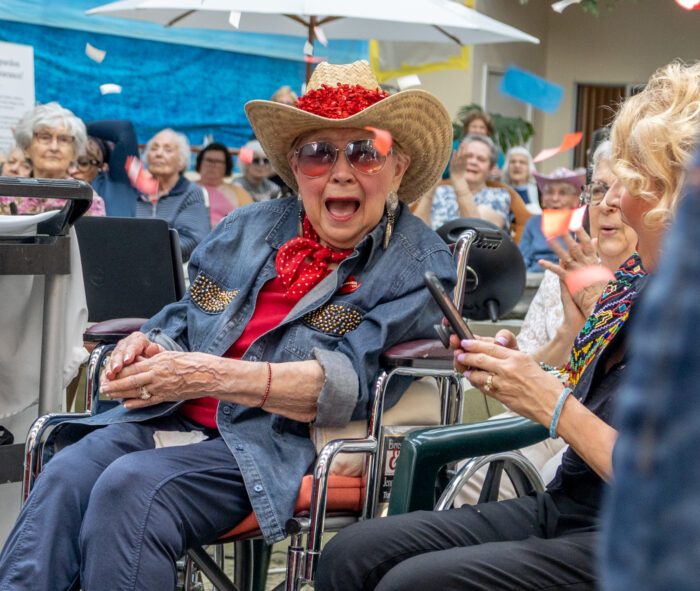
x,y
517,381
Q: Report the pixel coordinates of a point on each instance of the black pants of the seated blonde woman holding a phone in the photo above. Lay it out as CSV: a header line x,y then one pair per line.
x,y
526,543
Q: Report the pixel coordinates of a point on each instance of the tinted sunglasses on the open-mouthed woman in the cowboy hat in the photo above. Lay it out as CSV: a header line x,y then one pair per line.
x,y
316,158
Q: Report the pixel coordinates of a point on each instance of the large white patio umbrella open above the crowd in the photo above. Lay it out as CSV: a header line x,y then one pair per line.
x,y
426,21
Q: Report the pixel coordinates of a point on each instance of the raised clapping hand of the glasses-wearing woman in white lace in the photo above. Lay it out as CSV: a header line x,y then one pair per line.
x,y
575,256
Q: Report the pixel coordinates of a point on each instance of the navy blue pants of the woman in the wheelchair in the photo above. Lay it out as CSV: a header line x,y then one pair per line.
x,y
111,512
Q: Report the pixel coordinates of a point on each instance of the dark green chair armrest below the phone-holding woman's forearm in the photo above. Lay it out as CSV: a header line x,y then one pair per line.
x,y
424,452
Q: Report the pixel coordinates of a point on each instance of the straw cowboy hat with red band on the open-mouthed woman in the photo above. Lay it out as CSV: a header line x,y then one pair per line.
x,y
417,120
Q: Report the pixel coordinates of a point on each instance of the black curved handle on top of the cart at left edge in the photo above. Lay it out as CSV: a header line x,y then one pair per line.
x,y
78,196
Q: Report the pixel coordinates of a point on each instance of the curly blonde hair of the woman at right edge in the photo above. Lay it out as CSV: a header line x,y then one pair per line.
x,y
653,137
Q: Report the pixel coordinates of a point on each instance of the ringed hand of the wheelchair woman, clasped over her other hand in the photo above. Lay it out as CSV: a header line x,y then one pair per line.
x,y
167,376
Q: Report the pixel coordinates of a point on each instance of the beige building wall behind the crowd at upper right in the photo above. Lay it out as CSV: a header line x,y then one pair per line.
x,y
622,46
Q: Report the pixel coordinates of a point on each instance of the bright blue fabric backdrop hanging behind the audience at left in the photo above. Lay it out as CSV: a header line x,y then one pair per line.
x,y
196,90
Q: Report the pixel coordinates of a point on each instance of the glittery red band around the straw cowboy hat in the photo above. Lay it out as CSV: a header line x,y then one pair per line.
x,y
341,101
